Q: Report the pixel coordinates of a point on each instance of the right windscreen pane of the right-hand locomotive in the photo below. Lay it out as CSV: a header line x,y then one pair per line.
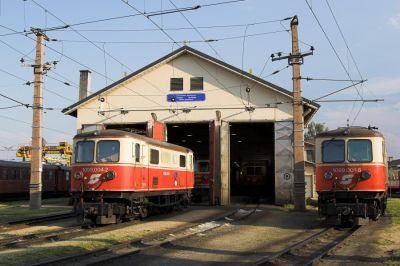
x,y
359,150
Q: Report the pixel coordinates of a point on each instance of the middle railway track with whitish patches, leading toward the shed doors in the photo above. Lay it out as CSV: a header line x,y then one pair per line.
x,y
128,248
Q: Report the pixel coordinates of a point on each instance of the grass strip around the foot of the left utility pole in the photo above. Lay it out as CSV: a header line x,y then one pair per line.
x,y
20,209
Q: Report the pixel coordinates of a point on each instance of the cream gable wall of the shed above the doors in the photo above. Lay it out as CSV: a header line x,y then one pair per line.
x,y
223,89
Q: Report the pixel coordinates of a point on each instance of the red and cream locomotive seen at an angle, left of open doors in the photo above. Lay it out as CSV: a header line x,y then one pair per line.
x,y
118,175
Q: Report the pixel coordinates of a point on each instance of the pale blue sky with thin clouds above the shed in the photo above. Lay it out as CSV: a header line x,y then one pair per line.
x,y
355,40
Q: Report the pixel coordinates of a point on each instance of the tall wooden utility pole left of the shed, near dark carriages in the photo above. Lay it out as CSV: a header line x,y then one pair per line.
x,y
35,187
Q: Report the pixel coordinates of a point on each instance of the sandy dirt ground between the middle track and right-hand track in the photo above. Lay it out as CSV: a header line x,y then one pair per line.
x,y
267,230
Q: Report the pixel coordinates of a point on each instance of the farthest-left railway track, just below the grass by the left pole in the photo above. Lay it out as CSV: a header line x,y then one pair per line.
x,y
24,223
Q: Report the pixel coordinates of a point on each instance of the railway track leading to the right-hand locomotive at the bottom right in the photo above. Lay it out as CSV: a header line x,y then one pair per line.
x,y
310,250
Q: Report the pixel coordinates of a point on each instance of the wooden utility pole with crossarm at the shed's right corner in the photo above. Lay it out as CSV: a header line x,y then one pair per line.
x,y
295,59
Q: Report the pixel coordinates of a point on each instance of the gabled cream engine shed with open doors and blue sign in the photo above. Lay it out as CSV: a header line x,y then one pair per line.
x,y
239,123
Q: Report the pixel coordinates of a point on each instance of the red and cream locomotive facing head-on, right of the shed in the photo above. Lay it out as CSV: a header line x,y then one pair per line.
x,y
351,175
